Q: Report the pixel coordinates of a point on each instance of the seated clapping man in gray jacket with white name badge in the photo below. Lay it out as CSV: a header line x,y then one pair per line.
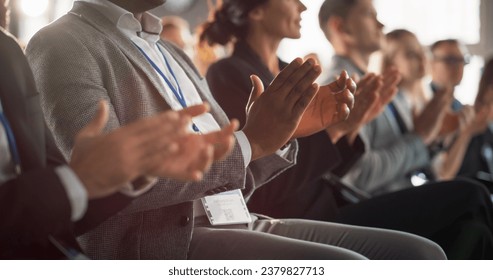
x,y
142,76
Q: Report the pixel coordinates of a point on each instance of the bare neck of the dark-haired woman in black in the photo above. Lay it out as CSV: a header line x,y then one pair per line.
x,y
266,48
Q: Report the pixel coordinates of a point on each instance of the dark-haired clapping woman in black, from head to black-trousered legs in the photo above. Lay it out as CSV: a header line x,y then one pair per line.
x,y
257,28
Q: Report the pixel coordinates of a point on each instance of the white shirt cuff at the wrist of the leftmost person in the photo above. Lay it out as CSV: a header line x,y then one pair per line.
x,y
75,190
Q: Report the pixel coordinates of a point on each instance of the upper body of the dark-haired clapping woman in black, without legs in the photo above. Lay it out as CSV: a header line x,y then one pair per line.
x,y
257,27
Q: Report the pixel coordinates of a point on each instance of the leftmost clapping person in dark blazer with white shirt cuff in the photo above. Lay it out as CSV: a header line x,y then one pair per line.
x,y
41,196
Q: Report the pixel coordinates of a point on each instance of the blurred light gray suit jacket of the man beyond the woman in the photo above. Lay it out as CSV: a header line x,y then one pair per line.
x,y
389,155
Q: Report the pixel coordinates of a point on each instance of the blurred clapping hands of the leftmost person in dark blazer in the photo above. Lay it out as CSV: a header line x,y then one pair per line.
x,y
105,162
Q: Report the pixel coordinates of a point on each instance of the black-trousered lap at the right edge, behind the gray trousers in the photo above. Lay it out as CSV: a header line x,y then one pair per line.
x,y
435,206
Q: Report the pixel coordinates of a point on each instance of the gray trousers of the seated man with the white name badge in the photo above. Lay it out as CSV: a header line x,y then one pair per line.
x,y
304,239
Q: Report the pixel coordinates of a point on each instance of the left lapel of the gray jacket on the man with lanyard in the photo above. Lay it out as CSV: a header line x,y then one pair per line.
x,y
93,17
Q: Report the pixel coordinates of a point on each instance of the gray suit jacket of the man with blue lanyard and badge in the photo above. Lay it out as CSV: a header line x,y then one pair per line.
x,y
82,58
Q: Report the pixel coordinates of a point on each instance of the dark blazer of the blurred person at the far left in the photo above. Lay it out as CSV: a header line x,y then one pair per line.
x,y
33,205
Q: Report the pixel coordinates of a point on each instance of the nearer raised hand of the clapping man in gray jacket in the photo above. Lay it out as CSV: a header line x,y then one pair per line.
x,y
274,115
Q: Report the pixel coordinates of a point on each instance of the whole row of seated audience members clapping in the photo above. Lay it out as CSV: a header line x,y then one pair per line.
x,y
141,162
